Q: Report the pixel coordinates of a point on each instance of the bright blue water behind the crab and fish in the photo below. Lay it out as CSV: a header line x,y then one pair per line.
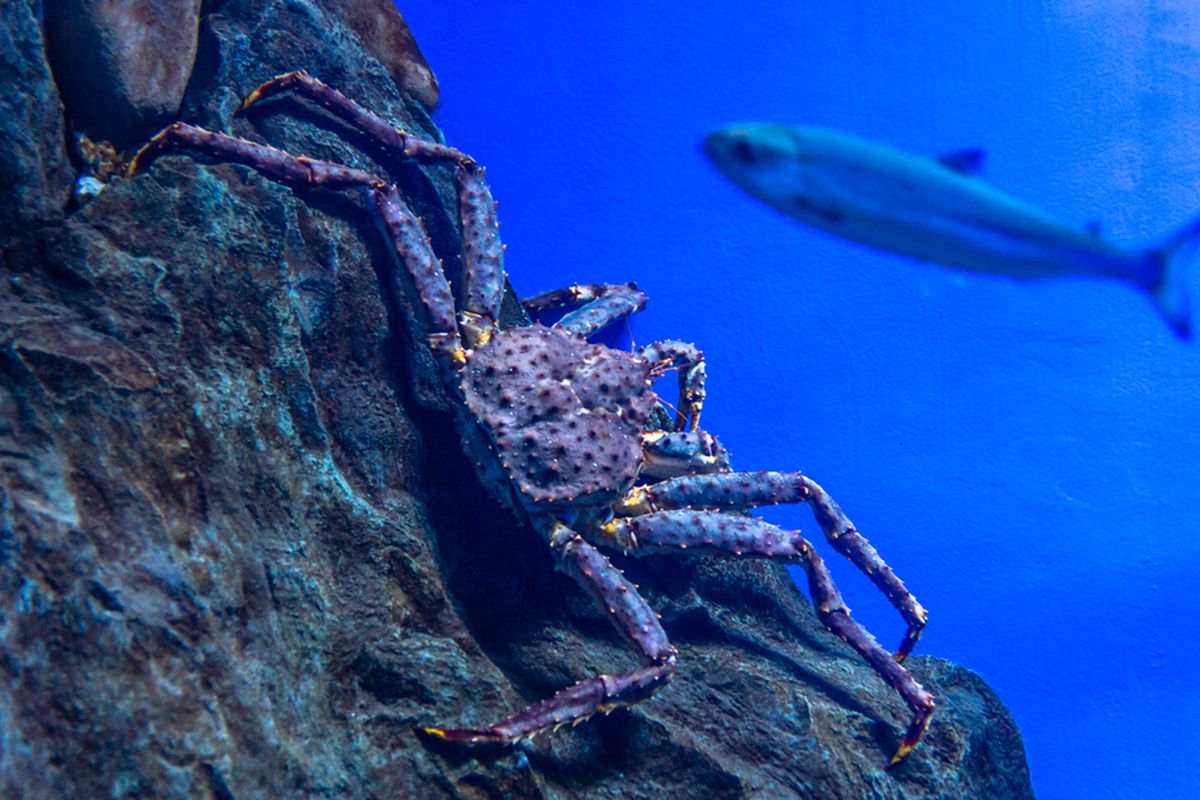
x,y
1024,455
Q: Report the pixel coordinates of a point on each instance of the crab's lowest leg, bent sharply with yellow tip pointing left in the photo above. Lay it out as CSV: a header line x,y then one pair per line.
x,y
605,693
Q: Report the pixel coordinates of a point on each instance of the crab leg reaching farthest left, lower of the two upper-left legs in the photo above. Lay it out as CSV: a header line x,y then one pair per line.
x,y
409,238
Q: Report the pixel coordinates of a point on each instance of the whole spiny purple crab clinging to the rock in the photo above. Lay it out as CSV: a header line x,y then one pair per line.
x,y
562,430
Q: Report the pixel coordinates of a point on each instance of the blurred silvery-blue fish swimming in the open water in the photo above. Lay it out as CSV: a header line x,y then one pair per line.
x,y
940,210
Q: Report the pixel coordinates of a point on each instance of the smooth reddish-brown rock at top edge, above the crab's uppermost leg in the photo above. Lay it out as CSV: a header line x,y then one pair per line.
x,y
386,37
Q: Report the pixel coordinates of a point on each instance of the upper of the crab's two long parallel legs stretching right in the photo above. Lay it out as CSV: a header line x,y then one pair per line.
x,y
751,490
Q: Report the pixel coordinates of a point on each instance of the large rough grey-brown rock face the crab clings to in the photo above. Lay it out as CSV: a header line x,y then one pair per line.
x,y
241,556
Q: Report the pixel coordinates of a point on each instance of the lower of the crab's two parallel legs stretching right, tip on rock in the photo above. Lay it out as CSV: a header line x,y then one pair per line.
x,y
671,532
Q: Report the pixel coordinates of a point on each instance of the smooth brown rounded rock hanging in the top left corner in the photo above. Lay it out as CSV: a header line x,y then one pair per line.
x,y
122,67
